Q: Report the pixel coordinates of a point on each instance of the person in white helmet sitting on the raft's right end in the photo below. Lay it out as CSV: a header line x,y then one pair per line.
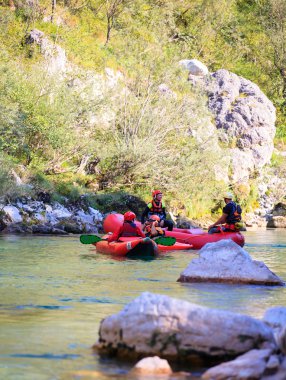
x,y
231,216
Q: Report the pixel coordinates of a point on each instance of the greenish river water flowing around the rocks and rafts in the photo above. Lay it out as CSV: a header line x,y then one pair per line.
x,y
54,292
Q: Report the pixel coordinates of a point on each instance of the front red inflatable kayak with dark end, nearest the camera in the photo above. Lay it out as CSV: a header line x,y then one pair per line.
x,y
137,247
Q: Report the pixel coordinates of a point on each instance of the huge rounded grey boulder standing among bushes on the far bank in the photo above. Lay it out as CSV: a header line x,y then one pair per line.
x,y
245,118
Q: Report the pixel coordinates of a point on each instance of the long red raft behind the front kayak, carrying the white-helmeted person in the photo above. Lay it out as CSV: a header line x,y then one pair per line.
x,y
198,240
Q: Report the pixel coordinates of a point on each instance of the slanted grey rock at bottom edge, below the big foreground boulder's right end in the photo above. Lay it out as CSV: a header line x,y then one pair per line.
x,y
249,366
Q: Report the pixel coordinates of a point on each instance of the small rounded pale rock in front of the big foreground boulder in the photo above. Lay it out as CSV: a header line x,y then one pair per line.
x,y
152,365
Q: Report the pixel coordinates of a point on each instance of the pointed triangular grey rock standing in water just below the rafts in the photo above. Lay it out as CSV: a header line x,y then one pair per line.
x,y
225,261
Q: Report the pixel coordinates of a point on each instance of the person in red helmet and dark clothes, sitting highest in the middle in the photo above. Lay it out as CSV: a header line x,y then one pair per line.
x,y
157,207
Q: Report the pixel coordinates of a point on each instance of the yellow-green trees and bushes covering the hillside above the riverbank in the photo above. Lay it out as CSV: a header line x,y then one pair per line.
x,y
47,134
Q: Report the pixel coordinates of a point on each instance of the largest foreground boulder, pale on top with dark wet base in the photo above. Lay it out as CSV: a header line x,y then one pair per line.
x,y
155,324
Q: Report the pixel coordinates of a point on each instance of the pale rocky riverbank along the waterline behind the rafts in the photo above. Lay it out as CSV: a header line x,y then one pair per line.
x,y
31,216
